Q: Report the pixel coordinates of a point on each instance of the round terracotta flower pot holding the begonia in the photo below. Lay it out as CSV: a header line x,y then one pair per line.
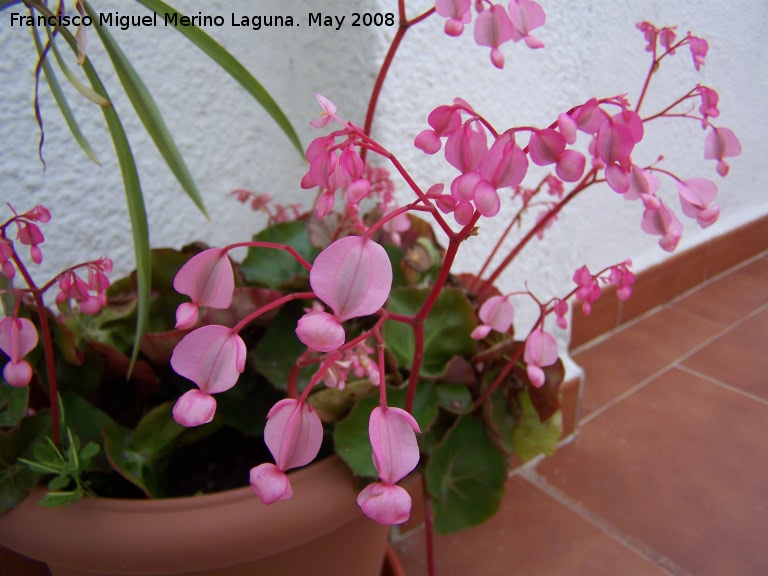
x,y
321,531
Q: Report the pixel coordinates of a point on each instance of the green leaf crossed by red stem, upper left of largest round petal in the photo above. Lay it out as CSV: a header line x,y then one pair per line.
x,y
276,268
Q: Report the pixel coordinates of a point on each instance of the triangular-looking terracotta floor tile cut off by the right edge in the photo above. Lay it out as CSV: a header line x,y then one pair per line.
x,y
739,357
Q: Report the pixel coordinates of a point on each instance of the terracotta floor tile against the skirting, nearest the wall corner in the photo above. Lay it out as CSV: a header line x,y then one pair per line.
x,y
637,352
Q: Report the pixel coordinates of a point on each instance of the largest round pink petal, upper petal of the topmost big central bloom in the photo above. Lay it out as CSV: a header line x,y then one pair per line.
x,y
353,276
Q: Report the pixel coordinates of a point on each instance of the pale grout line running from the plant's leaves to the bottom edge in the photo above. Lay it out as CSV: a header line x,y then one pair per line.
x,y
638,547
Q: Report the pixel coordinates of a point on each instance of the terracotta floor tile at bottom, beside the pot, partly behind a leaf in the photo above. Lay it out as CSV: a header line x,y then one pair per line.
x,y
533,535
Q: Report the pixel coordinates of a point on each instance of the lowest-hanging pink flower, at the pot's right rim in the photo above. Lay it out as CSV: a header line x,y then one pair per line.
x,y
395,454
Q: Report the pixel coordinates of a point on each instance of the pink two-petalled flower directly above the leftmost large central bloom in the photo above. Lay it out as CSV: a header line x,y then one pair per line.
x,y
207,278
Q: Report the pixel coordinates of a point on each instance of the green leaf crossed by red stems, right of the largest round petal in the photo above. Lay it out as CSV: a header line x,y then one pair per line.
x,y
446,331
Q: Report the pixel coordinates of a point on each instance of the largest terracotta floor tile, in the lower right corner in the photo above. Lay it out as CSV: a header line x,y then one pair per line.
x,y
680,465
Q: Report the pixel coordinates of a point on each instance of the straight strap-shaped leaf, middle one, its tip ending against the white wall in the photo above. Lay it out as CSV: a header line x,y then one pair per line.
x,y
147,110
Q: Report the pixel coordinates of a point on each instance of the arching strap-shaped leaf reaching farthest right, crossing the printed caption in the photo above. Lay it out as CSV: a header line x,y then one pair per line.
x,y
236,70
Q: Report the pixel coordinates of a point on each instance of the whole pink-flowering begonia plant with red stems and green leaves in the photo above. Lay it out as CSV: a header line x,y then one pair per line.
x,y
344,328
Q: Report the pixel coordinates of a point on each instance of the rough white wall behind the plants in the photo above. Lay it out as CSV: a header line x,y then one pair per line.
x,y
593,49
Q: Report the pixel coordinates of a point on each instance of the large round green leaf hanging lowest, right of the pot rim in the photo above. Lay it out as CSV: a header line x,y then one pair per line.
x,y
465,477
